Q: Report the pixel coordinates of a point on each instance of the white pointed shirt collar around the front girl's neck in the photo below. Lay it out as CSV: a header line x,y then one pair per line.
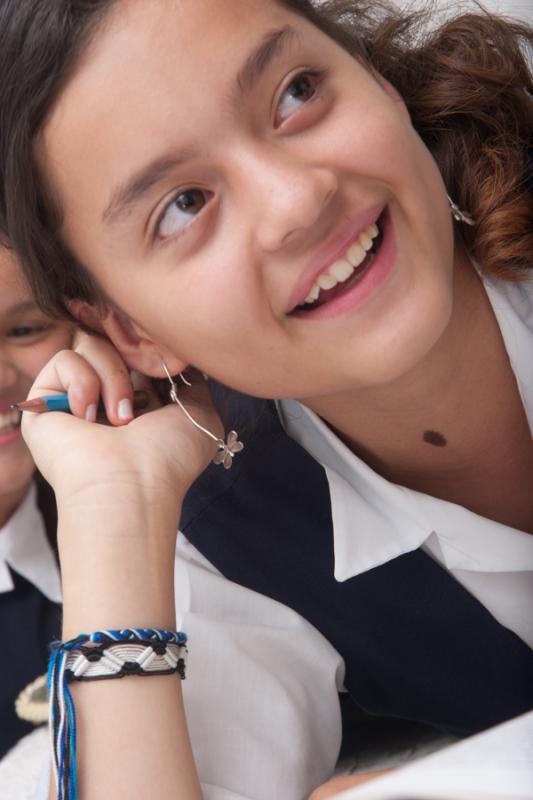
x,y
375,520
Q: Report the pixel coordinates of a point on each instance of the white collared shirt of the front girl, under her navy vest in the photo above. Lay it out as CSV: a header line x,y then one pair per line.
x,y
261,691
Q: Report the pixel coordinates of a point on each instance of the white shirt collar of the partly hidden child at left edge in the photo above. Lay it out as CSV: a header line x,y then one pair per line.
x,y
25,548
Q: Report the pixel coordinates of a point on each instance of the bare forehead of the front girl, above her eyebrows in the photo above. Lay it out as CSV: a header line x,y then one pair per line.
x,y
154,73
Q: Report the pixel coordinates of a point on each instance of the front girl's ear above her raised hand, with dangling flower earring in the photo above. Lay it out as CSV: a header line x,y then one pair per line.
x,y
137,349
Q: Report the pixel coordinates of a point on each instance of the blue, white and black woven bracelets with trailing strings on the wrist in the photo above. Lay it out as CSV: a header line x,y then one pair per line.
x,y
98,656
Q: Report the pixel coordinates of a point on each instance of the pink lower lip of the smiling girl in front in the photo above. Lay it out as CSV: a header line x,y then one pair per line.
x,y
376,274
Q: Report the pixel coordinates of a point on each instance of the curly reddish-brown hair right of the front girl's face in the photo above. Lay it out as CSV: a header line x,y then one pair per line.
x,y
468,86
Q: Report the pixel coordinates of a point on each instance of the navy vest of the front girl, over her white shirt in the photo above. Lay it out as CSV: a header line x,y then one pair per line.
x,y
416,644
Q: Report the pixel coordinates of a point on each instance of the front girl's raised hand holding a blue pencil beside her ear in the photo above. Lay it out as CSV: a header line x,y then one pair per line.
x,y
156,455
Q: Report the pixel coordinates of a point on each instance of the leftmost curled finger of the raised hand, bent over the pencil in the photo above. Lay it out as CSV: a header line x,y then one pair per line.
x,y
69,372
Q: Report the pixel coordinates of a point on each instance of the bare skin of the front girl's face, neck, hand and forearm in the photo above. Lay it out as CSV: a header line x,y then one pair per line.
x,y
280,177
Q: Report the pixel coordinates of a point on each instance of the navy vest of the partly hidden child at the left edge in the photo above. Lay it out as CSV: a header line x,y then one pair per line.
x,y
28,623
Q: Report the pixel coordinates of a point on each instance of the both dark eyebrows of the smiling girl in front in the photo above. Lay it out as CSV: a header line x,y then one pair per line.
x,y
271,46
